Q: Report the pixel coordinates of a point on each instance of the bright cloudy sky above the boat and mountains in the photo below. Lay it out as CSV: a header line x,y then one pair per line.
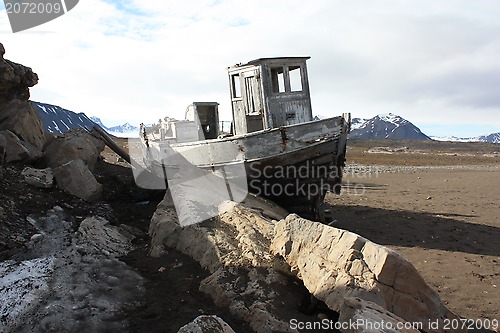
x,y
435,63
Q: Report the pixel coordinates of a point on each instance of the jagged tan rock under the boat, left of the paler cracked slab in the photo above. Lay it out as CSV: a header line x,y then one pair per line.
x,y
210,243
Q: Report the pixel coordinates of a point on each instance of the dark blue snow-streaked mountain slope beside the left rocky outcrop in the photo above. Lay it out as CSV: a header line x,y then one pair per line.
x,y
58,120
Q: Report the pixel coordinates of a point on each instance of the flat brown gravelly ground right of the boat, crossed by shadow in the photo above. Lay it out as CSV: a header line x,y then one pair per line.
x,y
438,205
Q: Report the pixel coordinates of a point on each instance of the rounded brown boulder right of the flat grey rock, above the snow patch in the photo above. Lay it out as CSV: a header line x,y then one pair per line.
x,y
75,178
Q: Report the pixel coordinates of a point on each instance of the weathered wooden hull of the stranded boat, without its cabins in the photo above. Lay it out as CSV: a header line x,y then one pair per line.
x,y
295,166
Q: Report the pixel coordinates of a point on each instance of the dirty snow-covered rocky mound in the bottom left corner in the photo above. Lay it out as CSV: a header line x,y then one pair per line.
x,y
69,281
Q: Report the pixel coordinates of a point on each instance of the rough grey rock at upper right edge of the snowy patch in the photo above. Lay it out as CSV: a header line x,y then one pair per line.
x,y
98,235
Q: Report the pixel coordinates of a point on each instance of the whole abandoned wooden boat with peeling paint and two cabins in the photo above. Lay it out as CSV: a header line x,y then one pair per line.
x,y
275,148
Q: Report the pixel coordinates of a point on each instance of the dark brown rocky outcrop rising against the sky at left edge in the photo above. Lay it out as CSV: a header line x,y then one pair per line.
x,y
16,112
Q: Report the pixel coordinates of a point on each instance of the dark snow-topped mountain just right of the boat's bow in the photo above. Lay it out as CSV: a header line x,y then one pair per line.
x,y
385,126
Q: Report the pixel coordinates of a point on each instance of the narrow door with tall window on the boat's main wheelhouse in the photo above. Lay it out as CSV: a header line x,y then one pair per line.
x,y
252,96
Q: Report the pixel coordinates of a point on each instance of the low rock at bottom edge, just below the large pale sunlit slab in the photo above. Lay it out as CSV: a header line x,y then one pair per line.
x,y
358,316
